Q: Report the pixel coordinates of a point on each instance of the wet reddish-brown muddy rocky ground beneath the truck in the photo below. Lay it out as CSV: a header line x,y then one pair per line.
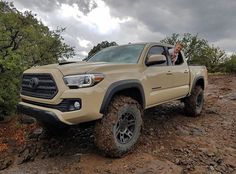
x,y
170,142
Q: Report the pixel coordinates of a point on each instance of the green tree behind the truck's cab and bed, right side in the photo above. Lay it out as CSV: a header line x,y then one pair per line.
x,y
198,50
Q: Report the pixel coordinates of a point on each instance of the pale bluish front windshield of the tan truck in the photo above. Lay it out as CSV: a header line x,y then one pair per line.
x,y
119,54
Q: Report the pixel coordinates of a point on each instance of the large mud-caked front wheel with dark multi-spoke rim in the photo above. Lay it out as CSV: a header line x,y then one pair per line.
x,y
119,129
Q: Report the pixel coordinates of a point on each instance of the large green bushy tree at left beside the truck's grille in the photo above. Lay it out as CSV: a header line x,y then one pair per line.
x,y
24,42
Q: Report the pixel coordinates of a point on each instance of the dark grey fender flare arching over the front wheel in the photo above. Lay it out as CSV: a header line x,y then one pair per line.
x,y
119,86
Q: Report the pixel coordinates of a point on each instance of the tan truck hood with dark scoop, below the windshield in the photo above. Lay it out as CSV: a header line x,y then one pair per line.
x,y
88,67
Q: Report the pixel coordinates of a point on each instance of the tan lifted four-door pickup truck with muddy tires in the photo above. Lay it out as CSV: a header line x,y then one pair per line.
x,y
113,87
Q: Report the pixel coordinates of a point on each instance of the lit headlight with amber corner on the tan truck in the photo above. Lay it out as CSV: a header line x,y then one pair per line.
x,y
83,80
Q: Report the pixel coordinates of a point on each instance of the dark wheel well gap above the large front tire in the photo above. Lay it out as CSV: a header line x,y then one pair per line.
x,y
134,93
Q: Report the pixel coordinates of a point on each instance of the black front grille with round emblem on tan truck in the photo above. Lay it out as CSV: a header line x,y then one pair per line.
x,y
39,86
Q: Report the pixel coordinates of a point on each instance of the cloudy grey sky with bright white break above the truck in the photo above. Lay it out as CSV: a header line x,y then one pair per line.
x,y
88,22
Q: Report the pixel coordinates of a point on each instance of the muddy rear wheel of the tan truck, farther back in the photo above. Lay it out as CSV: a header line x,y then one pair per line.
x,y
194,103
